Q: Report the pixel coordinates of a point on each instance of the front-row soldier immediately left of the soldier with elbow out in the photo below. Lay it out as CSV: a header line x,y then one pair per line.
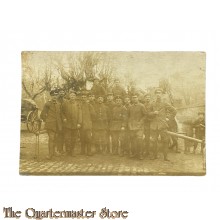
x,y
136,116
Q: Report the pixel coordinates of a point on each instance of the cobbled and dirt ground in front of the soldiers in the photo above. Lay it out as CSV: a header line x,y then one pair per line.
x,y
98,164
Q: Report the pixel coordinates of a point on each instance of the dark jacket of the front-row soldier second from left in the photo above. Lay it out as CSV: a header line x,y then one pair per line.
x,y
72,112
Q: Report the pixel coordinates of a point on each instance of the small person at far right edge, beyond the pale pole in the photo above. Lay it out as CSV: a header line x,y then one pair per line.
x,y
199,130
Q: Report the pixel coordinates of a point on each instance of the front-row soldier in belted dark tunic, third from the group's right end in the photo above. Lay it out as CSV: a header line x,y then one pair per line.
x,y
117,126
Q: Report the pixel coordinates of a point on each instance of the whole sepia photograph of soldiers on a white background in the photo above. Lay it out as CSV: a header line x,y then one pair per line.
x,y
113,113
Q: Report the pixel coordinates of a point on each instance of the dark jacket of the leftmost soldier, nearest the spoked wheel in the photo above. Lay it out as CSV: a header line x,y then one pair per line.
x,y
51,115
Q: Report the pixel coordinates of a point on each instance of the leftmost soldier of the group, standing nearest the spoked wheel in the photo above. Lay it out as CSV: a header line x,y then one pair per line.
x,y
51,115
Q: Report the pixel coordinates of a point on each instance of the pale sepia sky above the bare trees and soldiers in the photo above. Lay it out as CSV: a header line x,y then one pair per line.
x,y
144,67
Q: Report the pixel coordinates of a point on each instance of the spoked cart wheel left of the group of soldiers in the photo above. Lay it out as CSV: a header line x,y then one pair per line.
x,y
33,121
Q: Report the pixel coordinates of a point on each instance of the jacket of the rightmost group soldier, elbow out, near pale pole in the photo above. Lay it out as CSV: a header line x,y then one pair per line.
x,y
165,111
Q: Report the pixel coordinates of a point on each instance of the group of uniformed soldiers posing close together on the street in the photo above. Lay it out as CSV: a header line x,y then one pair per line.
x,y
112,122
